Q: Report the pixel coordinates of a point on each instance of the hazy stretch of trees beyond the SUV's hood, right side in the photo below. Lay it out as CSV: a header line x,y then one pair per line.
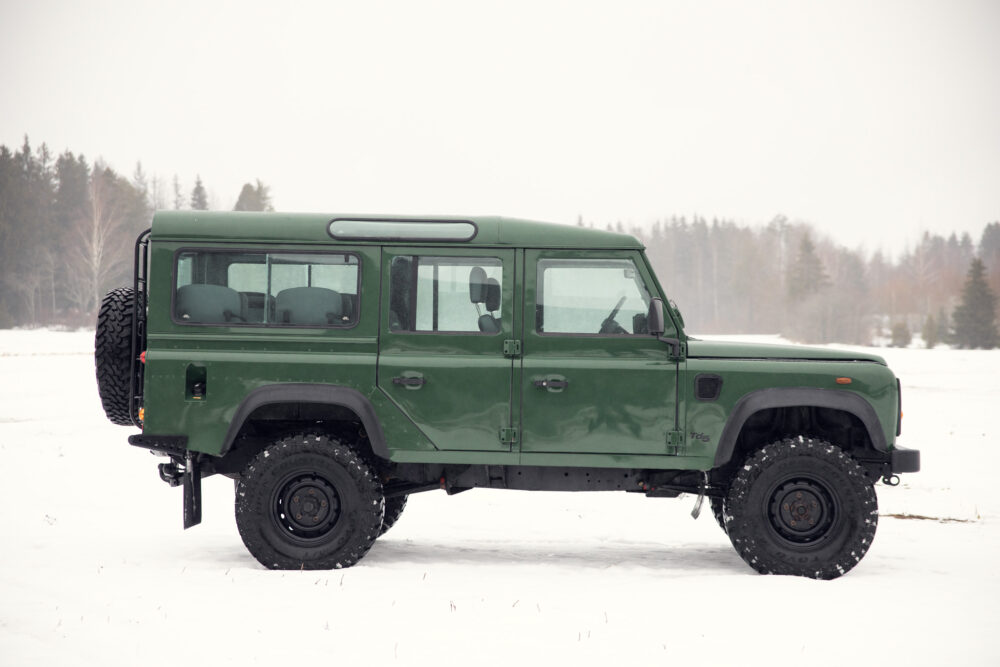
x,y
787,278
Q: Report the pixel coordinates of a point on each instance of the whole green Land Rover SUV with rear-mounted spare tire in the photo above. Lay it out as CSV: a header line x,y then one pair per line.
x,y
333,365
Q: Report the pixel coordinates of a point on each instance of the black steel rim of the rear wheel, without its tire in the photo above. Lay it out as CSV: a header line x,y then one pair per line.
x,y
306,507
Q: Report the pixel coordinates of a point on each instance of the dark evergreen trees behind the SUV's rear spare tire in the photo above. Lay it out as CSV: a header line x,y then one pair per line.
x,y
68,228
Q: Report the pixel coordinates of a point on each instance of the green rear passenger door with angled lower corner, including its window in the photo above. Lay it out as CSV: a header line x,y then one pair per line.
x,y
445,316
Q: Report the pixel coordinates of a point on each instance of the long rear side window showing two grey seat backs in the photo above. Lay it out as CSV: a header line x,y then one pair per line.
x,y
267,289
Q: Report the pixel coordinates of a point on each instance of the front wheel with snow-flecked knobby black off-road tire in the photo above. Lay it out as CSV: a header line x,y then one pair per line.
x,y
801,506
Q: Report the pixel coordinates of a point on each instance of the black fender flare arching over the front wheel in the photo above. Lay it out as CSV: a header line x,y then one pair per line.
x,y
786,397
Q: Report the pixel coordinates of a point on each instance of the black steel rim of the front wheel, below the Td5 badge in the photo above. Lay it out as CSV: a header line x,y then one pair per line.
x,y
802,511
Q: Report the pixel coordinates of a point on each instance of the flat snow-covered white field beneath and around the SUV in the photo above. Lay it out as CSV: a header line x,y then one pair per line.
x,y
97,571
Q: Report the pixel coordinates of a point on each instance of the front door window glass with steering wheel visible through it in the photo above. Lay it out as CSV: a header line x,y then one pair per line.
x,y
591,297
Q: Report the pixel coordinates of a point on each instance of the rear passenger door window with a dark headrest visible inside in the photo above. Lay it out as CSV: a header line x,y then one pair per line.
x,y
446,294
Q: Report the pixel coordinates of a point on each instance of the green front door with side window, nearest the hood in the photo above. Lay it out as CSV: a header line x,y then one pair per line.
x,y
593,380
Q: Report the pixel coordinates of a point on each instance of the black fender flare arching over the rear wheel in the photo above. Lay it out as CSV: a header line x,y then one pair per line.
x,y
323,394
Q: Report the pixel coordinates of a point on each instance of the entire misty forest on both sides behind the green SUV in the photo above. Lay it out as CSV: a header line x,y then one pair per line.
x,y
67,229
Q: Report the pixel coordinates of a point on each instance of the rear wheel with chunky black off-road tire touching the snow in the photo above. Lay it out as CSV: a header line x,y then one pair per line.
x,y
338,501
